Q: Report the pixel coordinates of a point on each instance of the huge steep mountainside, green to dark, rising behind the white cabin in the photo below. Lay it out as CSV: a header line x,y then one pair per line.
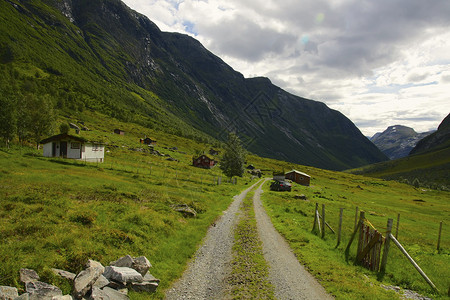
x,y
101,55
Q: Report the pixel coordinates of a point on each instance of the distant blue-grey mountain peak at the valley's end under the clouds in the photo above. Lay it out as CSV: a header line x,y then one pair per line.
x,y
397,141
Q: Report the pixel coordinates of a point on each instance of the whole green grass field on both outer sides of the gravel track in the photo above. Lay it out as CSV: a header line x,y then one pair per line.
x,y
57,213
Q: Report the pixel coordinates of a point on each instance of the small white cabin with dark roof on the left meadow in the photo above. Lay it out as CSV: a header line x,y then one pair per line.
x,y
69,146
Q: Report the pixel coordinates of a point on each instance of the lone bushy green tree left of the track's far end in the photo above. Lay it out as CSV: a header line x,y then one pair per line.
x,y
233,160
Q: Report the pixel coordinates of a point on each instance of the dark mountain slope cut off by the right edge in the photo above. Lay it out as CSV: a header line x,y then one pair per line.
x,y
438,140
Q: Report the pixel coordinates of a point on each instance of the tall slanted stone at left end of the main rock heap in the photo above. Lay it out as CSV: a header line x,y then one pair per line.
x,y
85,279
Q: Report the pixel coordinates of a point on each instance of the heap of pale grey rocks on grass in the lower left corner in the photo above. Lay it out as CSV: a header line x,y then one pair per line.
x,y
94,282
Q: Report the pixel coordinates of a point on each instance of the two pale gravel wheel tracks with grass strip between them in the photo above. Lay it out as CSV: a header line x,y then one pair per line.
x,y
205,277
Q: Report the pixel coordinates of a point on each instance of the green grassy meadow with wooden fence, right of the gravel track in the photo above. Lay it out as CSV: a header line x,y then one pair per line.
x,y
421,211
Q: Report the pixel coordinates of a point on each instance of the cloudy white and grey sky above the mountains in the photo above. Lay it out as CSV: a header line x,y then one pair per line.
x,y
379,62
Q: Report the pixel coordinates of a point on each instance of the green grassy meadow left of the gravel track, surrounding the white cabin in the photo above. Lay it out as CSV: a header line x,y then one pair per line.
x,y
57,213
